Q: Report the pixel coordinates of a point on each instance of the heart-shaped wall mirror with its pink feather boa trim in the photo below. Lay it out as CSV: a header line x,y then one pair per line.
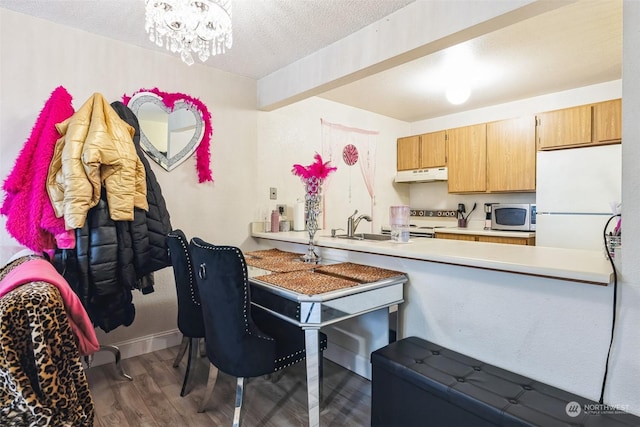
x,y
172,127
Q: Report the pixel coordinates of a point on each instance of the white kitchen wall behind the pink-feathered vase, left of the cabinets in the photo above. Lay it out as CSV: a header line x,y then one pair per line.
x,y
293,134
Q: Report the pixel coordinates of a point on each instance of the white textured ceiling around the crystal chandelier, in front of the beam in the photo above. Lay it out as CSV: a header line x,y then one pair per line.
x,y
267,34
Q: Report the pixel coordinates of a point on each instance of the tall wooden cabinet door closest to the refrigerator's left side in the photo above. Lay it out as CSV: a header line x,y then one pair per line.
x,y
511,155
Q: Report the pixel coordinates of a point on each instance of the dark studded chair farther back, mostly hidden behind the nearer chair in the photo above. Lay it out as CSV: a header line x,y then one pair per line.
x,y
190,321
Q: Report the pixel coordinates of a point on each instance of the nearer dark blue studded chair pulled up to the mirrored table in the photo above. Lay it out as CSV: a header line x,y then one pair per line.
x,y
242,340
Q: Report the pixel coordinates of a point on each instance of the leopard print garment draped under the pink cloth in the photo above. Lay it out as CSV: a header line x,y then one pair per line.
x,y
42,380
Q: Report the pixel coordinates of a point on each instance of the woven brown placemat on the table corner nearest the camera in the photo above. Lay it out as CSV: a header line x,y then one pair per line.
x,y
307,282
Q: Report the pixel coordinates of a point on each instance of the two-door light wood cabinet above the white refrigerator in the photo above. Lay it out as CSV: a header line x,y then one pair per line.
x,y
592,124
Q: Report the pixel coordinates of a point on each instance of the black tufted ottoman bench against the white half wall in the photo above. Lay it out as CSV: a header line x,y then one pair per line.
x,y
419,383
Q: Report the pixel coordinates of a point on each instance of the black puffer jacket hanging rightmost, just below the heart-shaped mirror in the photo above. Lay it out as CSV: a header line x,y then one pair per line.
x,y
149,229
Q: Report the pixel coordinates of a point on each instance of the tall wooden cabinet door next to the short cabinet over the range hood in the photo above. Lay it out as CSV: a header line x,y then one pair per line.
x,y
467,159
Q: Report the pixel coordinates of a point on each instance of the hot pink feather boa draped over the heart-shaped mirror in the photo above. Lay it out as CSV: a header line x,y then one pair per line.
x,y
203,154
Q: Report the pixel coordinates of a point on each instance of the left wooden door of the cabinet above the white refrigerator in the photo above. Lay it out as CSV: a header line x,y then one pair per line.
x,y
564,128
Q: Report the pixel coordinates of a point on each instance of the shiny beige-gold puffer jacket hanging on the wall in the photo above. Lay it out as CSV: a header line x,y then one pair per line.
x,y
95,149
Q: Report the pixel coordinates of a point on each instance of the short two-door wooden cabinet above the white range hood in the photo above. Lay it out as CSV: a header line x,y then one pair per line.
x,y
422,151
